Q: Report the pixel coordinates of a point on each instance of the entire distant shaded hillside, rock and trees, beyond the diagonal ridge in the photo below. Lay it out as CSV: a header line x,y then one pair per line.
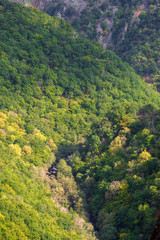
x,y
130,28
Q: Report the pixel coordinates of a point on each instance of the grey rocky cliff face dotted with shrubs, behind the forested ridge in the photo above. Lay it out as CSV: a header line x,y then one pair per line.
x,y
100,20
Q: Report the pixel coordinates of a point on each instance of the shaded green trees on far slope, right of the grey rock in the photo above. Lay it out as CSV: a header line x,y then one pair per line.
x,y
141,41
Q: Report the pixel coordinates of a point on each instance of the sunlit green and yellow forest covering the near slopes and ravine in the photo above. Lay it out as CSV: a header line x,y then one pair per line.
x,y
79,135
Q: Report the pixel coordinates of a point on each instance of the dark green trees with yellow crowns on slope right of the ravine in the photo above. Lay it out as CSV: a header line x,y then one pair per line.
x,y
126,178
